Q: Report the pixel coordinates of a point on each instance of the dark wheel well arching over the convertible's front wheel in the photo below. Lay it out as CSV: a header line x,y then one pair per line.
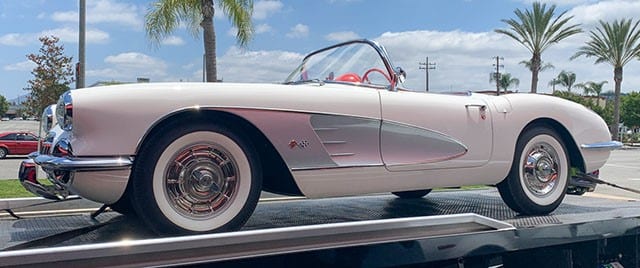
x,y
276,175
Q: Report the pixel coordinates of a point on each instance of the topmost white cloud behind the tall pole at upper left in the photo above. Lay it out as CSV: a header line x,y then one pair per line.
x,y
105,11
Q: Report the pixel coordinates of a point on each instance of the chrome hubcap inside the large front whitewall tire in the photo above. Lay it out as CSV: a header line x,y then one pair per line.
x,y
201,181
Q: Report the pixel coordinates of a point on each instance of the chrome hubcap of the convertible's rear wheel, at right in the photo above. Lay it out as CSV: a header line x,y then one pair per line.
x,y
541,169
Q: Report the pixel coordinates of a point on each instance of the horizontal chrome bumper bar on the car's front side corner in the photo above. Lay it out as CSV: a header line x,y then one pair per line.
x,y
81,163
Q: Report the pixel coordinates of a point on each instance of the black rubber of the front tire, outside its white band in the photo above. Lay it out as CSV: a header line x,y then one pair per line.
x,y
143,198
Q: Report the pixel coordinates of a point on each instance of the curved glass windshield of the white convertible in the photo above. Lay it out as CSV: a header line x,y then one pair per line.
x,y
357,63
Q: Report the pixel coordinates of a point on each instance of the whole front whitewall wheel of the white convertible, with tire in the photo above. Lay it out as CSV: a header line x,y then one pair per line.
x,y
200,178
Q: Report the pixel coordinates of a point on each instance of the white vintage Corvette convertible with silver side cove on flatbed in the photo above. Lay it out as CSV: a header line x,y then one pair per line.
x,y
194,157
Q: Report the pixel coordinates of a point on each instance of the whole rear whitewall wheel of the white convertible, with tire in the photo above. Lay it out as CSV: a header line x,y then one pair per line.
x,y
537,181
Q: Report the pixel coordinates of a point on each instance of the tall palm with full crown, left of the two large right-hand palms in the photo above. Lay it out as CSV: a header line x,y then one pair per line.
x,y
537,30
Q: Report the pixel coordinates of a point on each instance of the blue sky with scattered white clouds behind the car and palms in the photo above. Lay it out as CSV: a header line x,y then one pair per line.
x,y
457,35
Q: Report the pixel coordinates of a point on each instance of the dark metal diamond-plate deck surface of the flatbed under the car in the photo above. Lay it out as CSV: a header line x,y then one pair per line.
x,y
80,229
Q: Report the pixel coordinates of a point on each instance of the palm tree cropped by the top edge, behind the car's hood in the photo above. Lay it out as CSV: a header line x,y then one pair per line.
x,y
167,15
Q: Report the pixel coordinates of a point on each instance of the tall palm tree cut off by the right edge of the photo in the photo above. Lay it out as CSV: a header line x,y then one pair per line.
x,y
617,44
